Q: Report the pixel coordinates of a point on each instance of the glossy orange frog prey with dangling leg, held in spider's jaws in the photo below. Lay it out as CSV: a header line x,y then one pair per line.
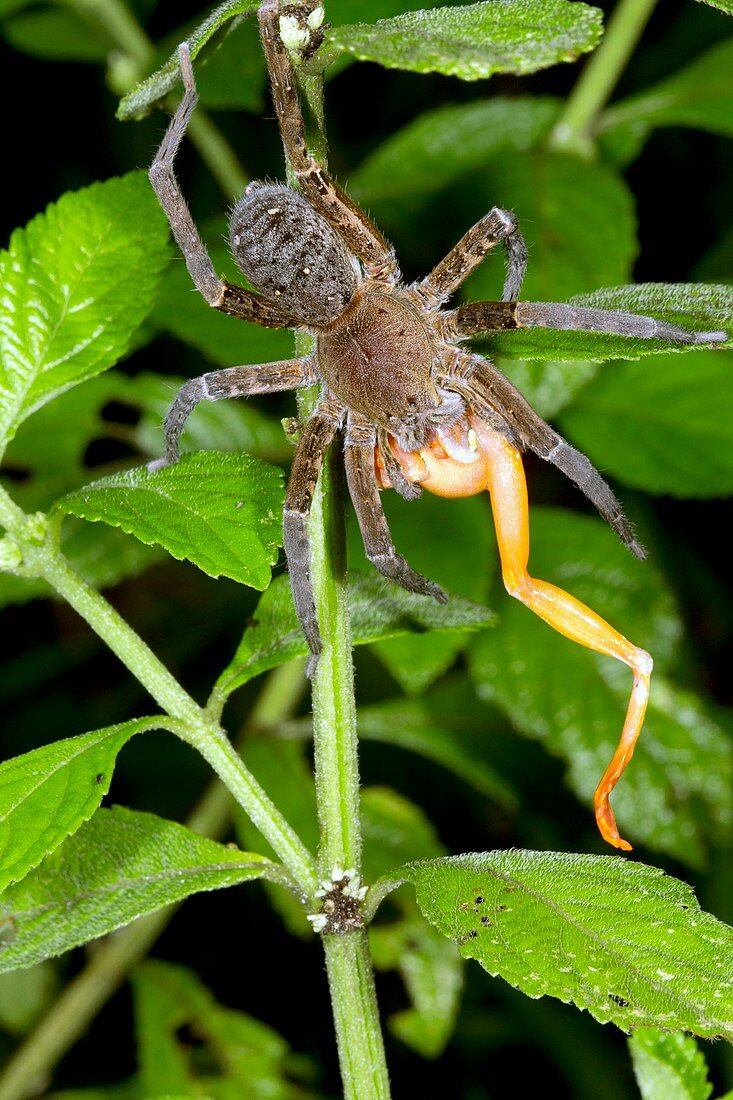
x,y
456,468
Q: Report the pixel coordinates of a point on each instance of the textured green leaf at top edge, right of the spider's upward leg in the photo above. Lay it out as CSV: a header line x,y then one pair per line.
x,y
476,41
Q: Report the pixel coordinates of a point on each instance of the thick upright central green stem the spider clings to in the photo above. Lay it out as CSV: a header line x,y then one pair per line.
x,y
336,750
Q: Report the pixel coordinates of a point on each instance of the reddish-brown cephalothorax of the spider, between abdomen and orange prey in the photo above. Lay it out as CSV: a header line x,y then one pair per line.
x,y
379,362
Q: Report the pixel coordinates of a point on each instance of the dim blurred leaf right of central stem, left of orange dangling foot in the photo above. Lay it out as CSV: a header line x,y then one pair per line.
x,y
445,727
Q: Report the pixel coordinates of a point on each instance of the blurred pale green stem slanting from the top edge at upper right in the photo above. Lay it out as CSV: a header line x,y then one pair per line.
x,y
573,133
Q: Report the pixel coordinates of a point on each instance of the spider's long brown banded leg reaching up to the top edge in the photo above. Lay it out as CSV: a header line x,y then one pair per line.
x,y
359,233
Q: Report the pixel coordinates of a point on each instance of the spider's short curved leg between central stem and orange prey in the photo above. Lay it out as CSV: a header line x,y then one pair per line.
x,y
362,478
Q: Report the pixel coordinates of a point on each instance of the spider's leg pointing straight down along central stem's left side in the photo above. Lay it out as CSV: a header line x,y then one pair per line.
x,y
315,441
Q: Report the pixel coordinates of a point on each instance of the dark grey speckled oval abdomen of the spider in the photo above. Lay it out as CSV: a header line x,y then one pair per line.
x,y
291,255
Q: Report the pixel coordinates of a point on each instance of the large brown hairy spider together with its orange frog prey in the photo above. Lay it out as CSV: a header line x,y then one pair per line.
x,y
419,411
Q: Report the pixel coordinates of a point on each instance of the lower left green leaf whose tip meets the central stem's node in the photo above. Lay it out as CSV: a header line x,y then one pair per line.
x,y
115,868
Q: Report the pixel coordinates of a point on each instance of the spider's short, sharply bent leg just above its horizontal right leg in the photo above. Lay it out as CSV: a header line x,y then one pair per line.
x,y
472,250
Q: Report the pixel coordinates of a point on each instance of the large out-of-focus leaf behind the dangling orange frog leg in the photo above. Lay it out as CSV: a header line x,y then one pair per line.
x,y
677,794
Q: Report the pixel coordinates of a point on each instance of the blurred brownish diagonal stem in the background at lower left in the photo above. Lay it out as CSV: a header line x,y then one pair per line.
x,y
79,1005
